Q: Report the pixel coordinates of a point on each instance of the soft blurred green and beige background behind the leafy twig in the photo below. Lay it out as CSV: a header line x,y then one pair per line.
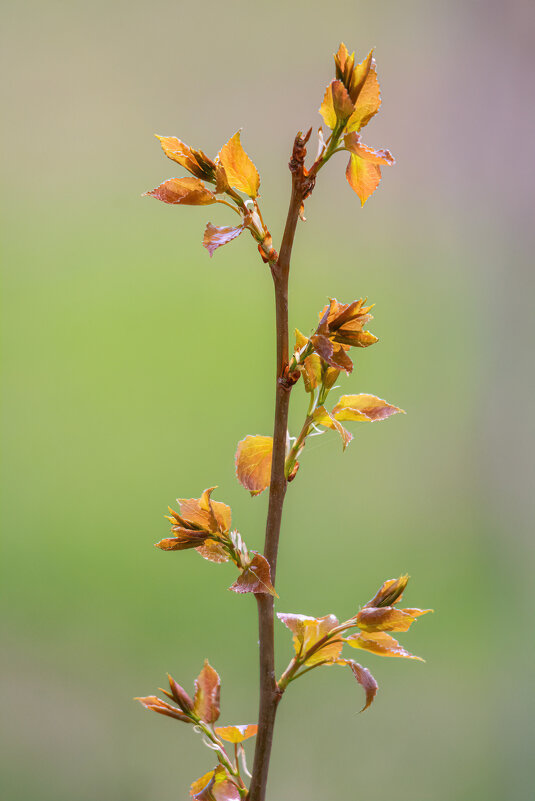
x,y
133,364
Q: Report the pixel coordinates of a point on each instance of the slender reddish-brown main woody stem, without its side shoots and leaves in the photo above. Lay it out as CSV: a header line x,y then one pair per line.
x,y
269,691
